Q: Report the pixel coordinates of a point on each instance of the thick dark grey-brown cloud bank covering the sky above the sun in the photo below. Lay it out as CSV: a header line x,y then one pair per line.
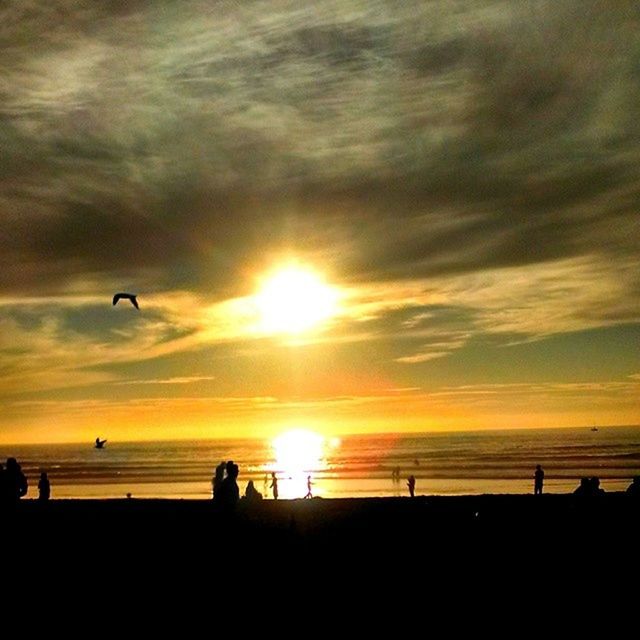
x,y
174,146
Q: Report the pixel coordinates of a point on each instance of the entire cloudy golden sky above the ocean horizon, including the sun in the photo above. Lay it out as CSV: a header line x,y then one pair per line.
x,y
452,188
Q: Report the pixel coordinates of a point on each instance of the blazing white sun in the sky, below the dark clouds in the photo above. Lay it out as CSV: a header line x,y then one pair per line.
x,y
294,299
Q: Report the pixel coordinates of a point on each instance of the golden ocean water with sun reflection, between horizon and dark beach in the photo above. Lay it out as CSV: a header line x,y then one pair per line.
x,y
350,466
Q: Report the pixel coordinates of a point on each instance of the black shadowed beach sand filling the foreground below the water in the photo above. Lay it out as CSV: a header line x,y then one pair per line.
x,y
414,564
